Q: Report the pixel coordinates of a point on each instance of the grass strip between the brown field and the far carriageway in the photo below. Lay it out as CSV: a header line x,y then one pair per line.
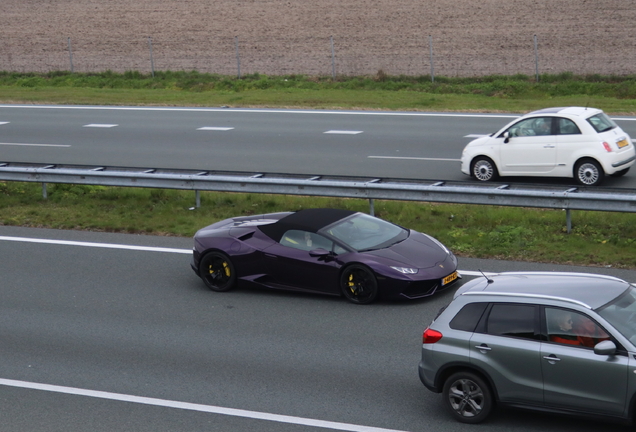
x,y
518,93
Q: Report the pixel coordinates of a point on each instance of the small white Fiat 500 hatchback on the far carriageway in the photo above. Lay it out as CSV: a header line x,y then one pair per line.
x,y
583,143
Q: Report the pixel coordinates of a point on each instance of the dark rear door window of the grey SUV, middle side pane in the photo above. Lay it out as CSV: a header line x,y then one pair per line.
x,y
513,320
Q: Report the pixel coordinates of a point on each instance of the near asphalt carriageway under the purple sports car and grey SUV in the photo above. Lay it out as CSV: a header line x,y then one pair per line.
x,y
114,332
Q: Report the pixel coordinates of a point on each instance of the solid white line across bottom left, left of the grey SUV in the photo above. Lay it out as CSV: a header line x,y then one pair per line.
x,y
193,407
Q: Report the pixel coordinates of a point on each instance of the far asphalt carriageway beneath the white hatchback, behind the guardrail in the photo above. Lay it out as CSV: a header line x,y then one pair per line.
x,y
313,142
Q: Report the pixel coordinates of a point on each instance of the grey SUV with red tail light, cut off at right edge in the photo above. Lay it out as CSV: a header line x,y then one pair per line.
x,y
550,341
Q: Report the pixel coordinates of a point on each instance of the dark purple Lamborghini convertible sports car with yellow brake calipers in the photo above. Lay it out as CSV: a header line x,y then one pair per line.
x,y
328,251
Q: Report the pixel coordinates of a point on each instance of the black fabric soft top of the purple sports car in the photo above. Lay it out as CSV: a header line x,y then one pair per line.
x,y
311,220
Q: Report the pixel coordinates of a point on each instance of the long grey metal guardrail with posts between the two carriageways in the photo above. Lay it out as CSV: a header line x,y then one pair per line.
x,y
517,195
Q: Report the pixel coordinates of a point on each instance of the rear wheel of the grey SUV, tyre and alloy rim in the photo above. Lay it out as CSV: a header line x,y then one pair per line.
x,y
468,397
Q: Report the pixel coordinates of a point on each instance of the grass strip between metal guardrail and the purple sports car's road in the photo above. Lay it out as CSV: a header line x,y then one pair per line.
x,y
597,239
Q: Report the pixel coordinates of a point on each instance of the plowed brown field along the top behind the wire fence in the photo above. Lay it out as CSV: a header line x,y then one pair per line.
x,y
469,37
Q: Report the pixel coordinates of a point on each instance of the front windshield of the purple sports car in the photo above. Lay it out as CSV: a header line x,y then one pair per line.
x,y
363,232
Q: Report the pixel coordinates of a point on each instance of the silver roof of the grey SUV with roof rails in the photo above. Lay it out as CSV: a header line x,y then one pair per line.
x,y
589,290
